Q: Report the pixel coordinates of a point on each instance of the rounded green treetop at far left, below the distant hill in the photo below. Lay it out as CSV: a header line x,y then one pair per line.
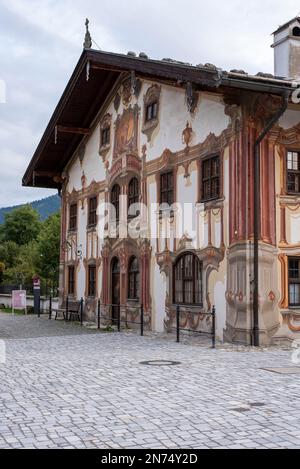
x,y
21,226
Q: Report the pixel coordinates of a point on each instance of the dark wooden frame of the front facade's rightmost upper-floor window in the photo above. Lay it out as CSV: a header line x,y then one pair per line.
x,y
217,178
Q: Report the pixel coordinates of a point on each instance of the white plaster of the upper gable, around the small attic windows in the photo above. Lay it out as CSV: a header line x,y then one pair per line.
x,y
209,117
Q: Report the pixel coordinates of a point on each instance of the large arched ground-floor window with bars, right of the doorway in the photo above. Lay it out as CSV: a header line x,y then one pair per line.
x,y
188,280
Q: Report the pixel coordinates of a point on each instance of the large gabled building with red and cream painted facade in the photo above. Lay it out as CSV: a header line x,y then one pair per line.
x,y
180,184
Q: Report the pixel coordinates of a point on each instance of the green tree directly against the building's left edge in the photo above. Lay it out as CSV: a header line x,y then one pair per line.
x,y
48,247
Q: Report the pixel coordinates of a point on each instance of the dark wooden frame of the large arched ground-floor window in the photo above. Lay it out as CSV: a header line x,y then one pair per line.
x,y
188,279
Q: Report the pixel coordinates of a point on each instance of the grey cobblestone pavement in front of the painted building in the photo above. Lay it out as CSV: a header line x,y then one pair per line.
x,y
64,387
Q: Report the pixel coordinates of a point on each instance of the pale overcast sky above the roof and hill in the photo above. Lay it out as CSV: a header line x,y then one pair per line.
x,y
41,41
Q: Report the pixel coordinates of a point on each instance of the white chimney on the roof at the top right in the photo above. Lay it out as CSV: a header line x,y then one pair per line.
x,y
287,50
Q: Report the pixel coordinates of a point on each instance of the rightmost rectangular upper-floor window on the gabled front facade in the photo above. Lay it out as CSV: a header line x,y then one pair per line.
x,y
211,179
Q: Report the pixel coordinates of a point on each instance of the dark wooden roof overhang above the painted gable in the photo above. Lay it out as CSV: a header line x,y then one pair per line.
x,y
94,77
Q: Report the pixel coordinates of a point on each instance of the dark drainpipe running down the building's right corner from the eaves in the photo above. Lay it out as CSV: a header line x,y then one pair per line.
x,y
257,214
